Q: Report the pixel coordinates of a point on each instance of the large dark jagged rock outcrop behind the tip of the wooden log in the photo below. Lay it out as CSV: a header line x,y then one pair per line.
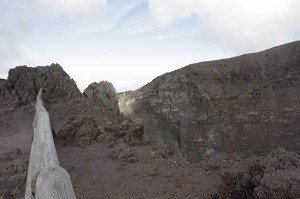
x,y
24,82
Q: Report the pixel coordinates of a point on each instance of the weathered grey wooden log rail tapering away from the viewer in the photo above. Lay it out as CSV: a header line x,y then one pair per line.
x,y
45,178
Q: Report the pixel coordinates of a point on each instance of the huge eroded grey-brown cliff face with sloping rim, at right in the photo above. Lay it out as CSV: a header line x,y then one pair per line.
x,y
248,104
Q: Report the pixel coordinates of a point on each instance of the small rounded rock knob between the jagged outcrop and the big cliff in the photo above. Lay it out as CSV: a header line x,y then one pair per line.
x,y
103,92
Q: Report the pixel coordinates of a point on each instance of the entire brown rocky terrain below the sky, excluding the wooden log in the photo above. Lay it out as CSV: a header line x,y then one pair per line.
x,y
250,105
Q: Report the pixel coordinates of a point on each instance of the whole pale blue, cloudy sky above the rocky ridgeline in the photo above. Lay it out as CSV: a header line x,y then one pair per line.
x,y
130,42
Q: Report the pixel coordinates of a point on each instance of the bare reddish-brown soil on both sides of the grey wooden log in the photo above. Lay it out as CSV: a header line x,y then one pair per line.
x,y
98,171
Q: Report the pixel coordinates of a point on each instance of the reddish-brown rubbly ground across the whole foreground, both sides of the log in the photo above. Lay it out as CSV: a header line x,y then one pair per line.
x,y
140,169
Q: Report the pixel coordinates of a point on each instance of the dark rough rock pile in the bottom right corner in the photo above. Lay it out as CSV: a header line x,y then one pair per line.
x,y
275,176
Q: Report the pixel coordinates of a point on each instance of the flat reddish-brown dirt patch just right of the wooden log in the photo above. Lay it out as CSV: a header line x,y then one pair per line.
x,y
96,175
